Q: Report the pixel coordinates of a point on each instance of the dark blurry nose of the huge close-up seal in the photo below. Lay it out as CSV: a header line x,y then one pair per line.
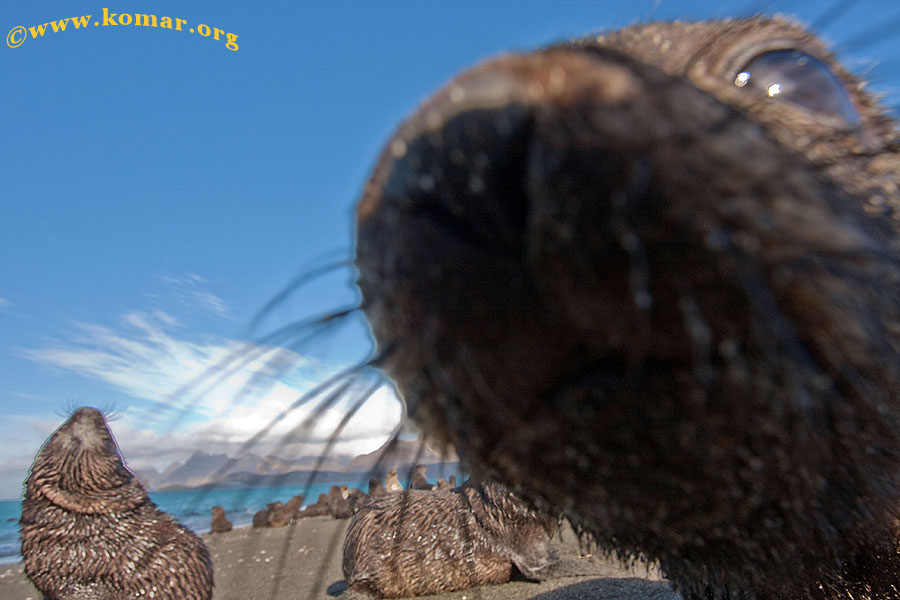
x,y
496,170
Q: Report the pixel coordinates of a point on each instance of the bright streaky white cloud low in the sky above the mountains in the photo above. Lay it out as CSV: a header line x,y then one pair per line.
x,y
147,357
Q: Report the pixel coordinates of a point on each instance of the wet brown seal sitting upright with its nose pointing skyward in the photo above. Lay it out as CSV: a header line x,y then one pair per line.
x,y
90,531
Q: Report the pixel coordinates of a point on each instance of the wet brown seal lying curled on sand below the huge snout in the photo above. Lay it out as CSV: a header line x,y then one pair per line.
x,y
420,542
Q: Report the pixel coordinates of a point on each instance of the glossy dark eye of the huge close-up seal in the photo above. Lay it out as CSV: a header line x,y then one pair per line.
x,y
798,78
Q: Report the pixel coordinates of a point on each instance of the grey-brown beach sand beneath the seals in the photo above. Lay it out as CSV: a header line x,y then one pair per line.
x,y
304,562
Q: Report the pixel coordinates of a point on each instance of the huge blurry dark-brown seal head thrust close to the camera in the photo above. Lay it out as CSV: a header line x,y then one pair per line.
x,y
651,279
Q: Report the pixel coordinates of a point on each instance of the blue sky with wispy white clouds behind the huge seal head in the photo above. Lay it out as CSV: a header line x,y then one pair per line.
x,y
159,189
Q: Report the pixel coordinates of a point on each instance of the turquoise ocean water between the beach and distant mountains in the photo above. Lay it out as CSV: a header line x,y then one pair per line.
x,y
192,507
